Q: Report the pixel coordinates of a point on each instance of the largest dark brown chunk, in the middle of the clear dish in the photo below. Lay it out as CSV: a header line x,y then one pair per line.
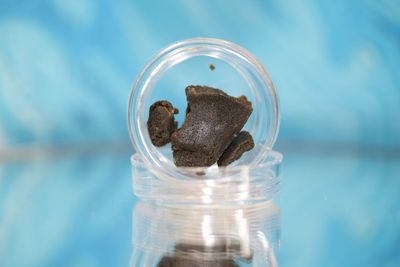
x,y
213,118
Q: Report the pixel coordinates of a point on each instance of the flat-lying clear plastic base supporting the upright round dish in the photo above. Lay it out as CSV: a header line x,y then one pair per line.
x,y
239,184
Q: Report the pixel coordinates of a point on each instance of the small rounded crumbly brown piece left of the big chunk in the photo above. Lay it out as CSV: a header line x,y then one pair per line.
x,y
161,123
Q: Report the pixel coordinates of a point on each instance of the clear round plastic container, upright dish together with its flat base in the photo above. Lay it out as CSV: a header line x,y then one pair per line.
x,y
255,177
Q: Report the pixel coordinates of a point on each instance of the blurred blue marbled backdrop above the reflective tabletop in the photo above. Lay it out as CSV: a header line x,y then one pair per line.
x,y
66,67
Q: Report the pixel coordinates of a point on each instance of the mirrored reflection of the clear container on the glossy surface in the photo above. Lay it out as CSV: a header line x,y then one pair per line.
x,y
246,235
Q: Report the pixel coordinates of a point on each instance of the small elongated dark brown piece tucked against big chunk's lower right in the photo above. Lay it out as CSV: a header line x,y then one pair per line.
x,y
241,143
